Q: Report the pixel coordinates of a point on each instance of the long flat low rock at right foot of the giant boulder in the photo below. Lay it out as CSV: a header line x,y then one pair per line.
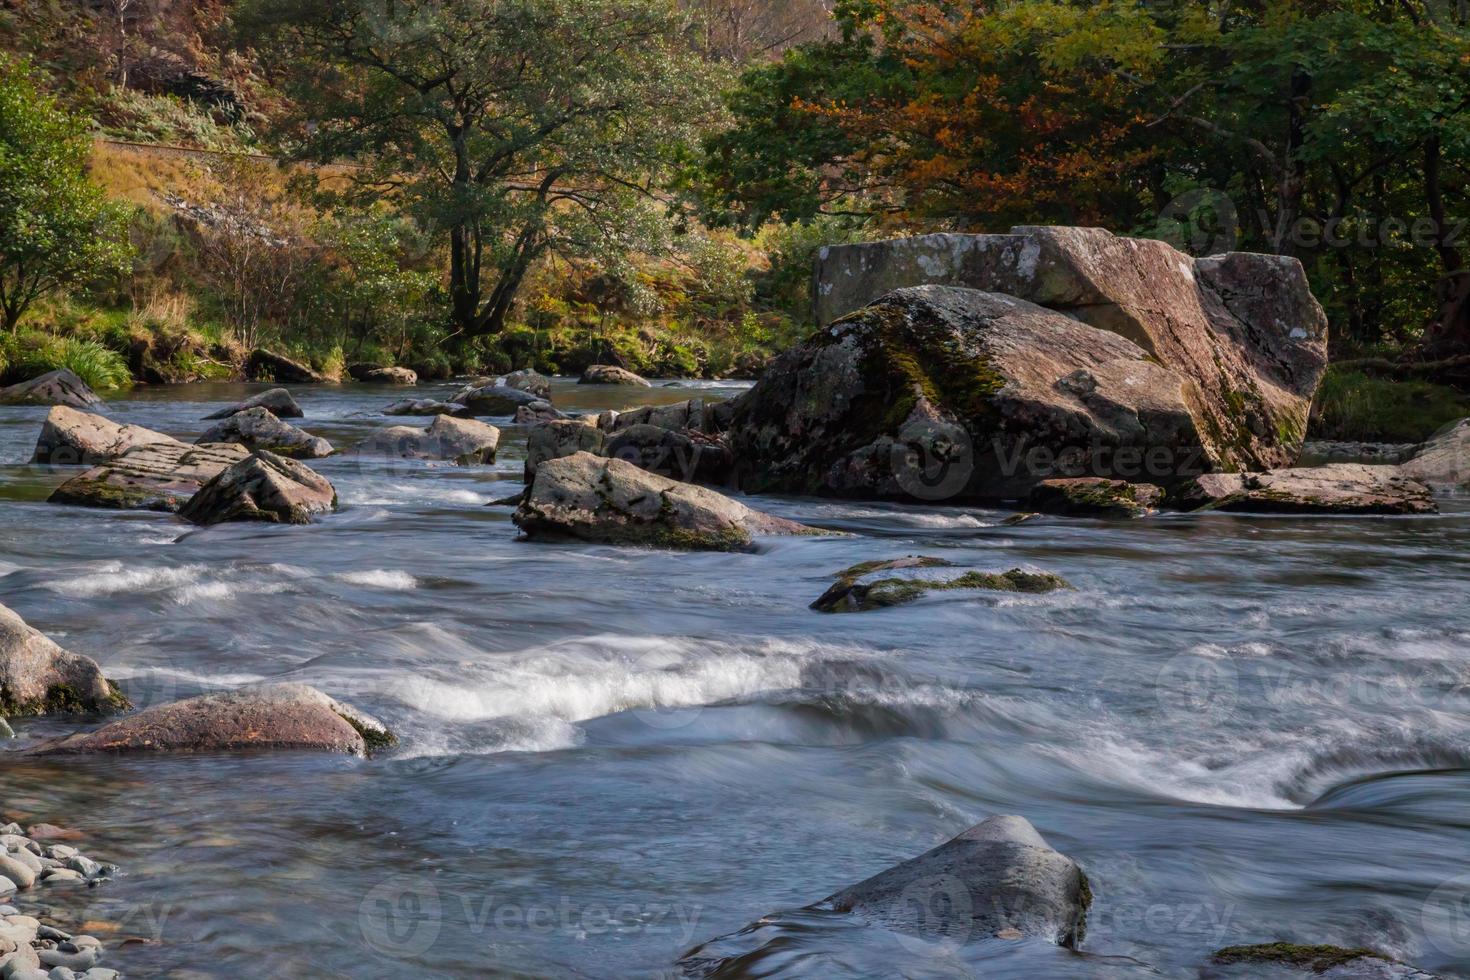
x,y
1338,489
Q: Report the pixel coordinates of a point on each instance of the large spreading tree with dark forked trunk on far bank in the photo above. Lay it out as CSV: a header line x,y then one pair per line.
x,y
514,127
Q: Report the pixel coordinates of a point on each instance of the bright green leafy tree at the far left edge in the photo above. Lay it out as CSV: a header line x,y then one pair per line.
x,y
57,227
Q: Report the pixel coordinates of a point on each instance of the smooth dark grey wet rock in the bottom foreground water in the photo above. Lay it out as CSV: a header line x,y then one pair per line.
x,y
999,881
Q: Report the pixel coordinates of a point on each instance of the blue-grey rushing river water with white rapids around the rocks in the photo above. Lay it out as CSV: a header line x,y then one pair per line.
x,y
1243,729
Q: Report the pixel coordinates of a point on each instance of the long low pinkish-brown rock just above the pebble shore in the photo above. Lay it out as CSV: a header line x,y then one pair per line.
x,y
283,716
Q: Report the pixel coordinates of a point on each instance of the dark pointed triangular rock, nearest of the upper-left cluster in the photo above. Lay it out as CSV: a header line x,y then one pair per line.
x,y
262,487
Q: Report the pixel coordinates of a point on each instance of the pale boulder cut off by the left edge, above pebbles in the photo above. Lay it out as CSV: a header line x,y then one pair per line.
x,y
40,678
